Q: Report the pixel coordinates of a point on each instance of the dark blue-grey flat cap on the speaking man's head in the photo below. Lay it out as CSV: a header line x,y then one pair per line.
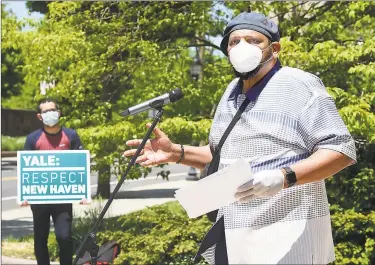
x,y
254,21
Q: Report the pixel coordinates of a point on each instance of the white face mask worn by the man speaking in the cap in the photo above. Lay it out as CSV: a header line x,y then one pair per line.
x,y
245,57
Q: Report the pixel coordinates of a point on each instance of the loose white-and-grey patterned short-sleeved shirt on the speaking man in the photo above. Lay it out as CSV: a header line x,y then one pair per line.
x,y
293,117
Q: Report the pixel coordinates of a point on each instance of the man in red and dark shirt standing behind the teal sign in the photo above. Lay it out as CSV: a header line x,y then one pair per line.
x,y
52,137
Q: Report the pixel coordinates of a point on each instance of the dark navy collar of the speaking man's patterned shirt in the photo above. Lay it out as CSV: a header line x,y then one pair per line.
x,y
255,91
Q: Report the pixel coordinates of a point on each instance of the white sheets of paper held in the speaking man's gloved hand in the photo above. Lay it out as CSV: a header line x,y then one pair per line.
x,y
214,191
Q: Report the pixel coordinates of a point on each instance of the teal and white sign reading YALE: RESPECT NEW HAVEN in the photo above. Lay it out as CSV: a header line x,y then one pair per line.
x,y
53,177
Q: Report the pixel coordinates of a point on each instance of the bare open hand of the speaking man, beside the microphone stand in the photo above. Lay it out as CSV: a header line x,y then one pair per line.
x,y
157,151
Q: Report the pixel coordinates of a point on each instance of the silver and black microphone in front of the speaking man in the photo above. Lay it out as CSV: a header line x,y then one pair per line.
x,y
171,96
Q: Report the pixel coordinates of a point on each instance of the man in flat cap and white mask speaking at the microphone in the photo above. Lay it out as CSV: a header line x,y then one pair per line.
x,y
293,138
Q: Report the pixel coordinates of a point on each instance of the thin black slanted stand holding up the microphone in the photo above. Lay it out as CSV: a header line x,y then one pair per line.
x,y
89,243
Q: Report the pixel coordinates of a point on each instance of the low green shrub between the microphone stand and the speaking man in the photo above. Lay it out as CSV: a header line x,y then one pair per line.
x,y
156,235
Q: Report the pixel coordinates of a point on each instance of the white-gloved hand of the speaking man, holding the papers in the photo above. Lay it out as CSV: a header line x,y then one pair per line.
x,y
264,184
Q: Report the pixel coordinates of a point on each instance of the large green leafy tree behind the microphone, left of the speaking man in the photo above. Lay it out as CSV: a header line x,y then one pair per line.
x,y
108,56
